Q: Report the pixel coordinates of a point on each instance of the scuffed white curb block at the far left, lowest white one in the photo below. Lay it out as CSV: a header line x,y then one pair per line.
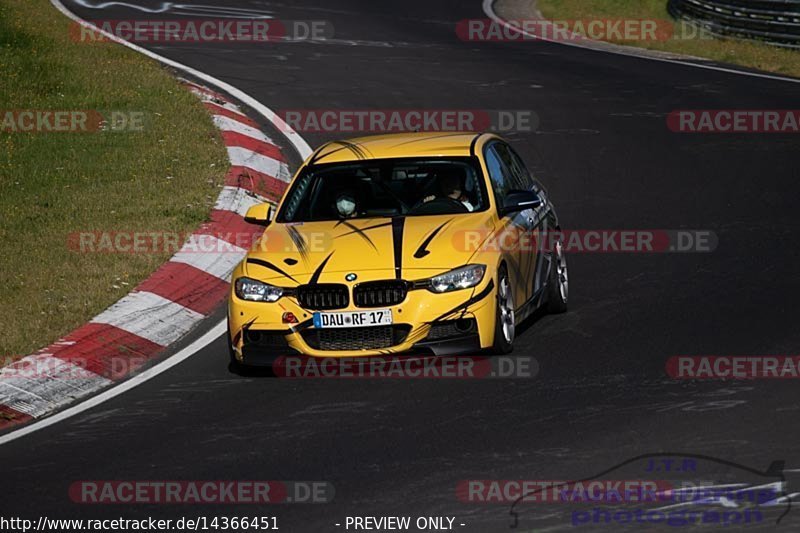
x,y
38,384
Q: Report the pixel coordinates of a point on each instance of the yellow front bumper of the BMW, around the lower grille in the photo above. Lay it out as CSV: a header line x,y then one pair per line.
x,y
461,322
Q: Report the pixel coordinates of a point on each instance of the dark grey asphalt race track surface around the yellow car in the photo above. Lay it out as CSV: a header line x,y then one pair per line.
x,y
400,447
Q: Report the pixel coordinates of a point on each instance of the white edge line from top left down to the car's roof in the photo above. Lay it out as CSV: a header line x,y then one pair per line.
x,y
302,147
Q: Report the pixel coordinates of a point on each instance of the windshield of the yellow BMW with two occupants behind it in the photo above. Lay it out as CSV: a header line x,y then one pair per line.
x,y
385,188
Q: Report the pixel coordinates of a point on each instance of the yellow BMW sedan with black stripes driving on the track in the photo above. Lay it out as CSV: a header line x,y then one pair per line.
x,y
405,243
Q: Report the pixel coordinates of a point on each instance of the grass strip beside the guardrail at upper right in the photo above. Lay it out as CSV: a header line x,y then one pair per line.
x,y
746,53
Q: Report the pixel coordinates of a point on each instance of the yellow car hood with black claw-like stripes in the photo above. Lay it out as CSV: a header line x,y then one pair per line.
x,y
378,248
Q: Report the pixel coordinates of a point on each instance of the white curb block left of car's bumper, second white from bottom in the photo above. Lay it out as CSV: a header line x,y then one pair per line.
x,y
150,316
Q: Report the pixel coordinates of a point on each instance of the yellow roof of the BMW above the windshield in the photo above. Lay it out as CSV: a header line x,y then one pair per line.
x,y
440,144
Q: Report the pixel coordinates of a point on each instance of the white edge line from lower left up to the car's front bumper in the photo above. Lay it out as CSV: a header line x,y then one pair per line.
x,y
212,335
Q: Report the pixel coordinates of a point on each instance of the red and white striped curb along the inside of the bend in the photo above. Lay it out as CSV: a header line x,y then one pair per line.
x,y
172,301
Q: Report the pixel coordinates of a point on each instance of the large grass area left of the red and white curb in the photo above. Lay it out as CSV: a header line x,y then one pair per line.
x,y
53,184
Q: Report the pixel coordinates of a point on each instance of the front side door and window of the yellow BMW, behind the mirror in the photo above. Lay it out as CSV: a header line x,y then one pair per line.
x,y
514,226
